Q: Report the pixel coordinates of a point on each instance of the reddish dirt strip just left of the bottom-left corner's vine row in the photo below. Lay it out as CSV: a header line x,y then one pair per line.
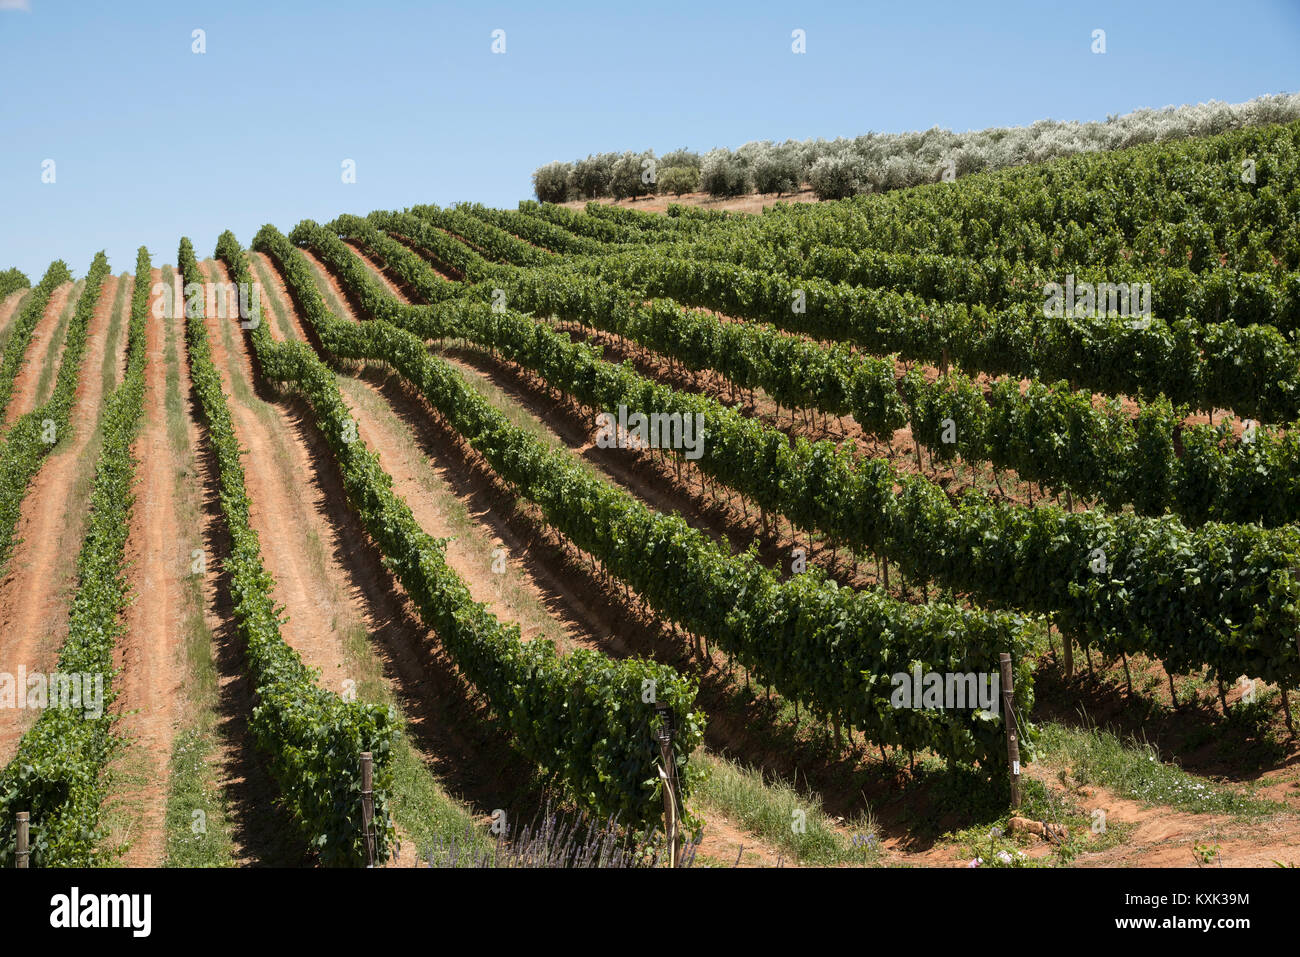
x,y
42,574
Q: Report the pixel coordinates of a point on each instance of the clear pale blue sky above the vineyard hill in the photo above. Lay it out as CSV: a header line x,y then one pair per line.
x,y
153,141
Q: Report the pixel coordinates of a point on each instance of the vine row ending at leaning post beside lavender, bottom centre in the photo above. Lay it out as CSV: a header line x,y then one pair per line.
x,y
583,717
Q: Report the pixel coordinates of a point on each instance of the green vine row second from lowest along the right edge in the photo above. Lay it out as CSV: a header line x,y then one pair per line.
x,y
1048,435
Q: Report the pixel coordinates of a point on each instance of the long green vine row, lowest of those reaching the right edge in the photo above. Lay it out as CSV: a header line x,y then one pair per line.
x,y
1220,596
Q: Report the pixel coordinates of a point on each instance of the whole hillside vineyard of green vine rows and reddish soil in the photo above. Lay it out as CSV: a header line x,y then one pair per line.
x,y
918,527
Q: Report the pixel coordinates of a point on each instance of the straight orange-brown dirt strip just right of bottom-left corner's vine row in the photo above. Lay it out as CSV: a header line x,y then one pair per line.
x,y
149,657
